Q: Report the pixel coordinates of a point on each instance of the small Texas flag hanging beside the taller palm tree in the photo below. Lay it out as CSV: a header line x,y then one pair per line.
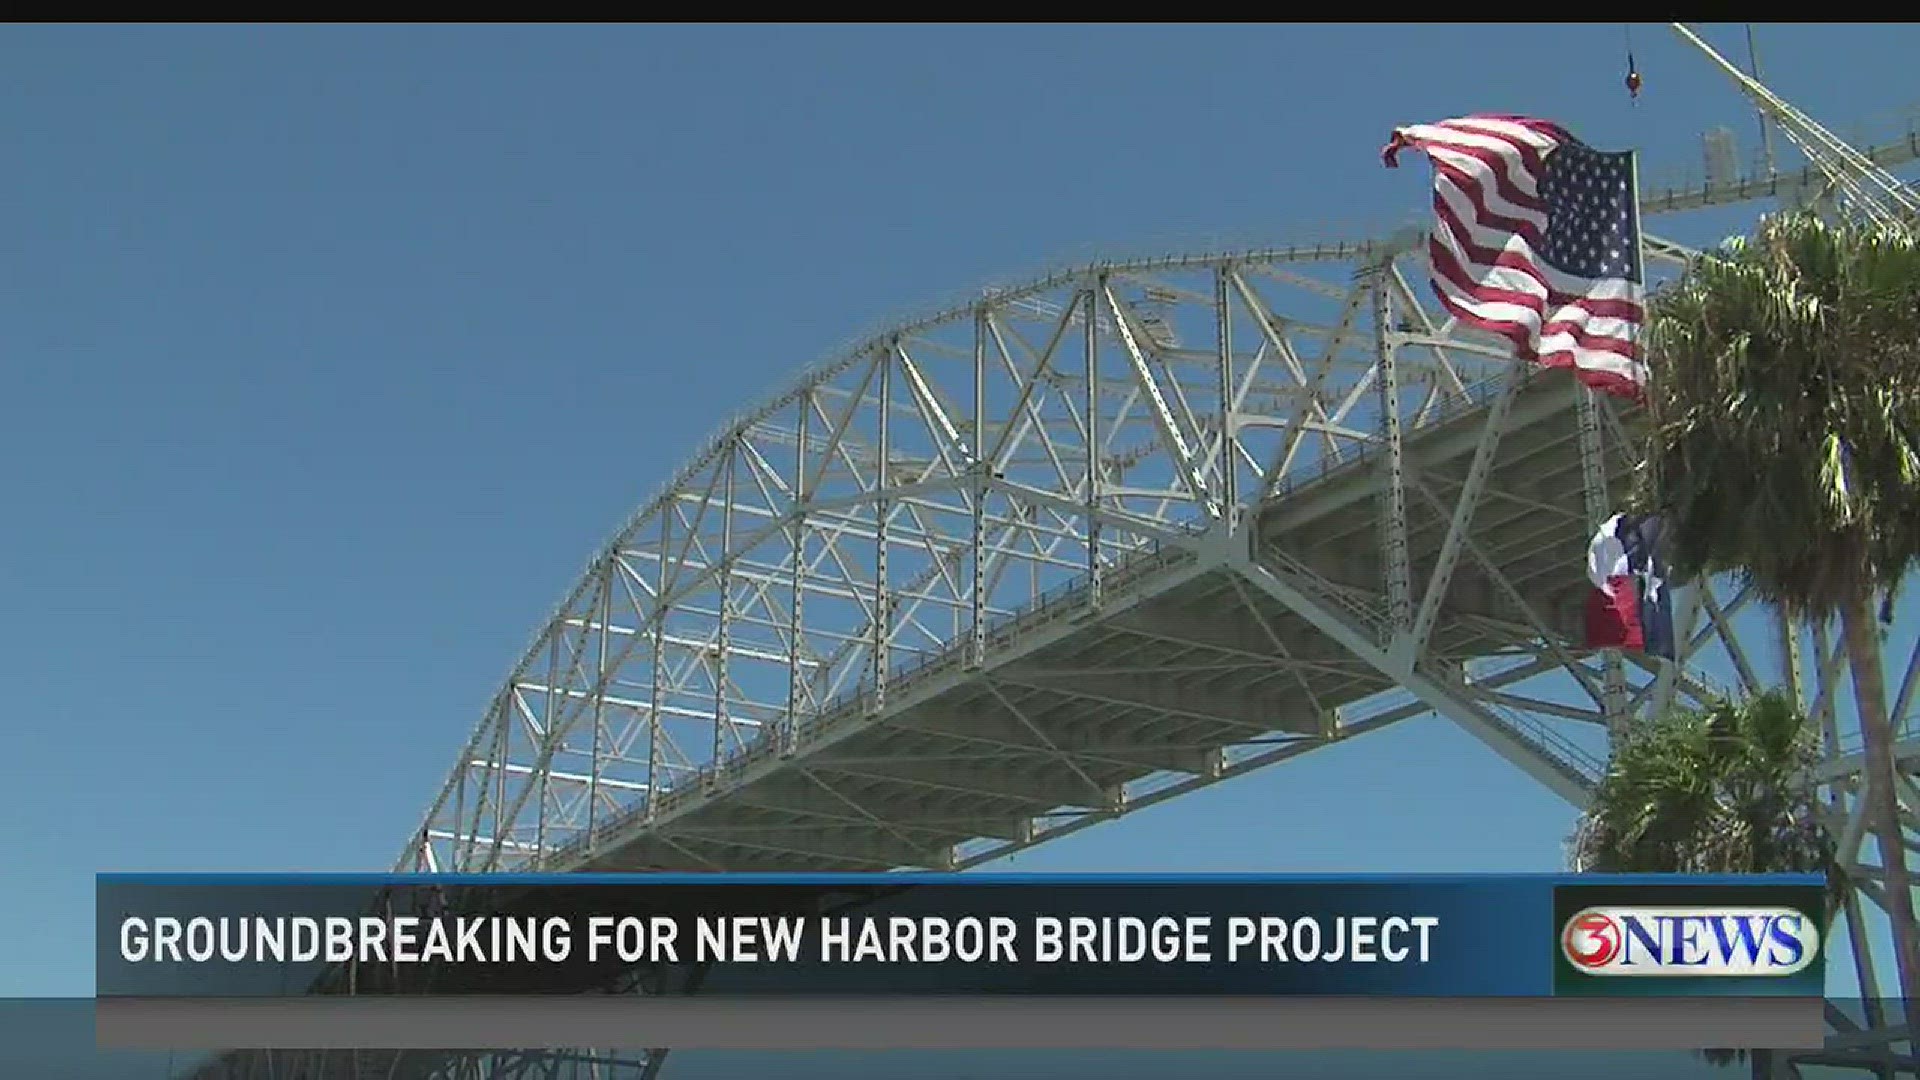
x,y
1631,606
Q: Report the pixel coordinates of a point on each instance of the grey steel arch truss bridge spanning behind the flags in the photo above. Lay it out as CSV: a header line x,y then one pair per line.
x,y
1082,547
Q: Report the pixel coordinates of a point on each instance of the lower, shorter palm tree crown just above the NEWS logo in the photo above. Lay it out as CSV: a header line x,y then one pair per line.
x,y
1717,791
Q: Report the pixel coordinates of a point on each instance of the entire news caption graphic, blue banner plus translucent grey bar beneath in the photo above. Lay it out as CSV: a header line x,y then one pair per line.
x,y
719,950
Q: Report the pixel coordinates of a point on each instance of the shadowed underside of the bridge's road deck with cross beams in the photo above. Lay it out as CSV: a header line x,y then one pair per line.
x,y
1180,664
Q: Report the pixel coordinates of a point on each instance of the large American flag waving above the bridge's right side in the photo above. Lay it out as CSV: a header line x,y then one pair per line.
x,y
1537,239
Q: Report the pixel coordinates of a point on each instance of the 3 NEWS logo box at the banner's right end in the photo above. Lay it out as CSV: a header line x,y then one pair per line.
x,y
1689,941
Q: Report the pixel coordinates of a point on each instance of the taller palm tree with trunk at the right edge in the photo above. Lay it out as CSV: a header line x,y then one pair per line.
x,y
1787,451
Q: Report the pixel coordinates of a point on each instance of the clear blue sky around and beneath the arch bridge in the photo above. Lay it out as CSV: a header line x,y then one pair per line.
x,y
329,355
